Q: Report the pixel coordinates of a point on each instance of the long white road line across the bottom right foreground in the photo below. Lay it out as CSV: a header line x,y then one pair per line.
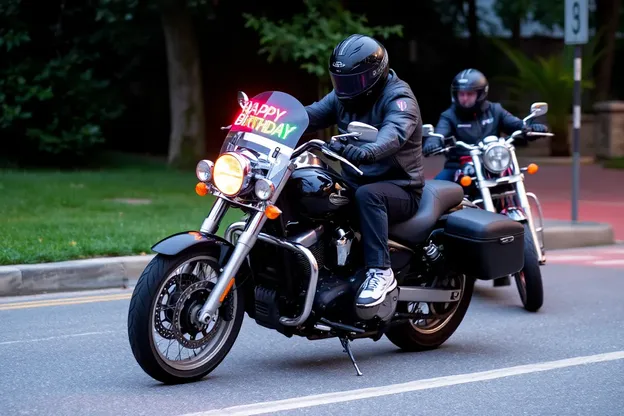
x,y
432,383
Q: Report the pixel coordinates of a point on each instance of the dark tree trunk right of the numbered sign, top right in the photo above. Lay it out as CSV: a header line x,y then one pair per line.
x,y
607,19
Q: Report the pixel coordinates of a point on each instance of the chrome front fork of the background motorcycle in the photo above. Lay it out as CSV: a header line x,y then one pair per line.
x,y
521,193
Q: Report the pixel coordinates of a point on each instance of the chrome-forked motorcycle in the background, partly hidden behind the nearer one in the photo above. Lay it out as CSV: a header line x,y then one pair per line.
x,y
493,180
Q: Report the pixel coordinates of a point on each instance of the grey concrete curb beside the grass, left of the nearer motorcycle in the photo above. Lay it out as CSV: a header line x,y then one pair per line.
x,y
65,276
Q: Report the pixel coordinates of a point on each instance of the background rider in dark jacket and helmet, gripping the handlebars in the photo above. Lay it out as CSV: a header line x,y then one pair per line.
x,y
470,119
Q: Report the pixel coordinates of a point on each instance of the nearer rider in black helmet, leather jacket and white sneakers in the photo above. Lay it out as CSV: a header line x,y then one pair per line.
x,y
365,89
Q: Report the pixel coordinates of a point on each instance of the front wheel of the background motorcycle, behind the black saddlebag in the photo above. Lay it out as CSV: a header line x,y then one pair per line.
x,y
529,279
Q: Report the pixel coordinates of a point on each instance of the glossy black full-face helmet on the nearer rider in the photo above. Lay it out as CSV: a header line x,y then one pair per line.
x,y
358,68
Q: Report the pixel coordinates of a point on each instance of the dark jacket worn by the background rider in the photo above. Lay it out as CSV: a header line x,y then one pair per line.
x,y
491,120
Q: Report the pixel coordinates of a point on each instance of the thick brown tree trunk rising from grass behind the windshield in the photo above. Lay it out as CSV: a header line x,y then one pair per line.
x,y
187,138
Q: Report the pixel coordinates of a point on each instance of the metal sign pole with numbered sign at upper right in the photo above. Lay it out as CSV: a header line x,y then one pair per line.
x,y
576,28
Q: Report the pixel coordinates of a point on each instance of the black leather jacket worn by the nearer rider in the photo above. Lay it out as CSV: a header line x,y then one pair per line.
x,y
398,149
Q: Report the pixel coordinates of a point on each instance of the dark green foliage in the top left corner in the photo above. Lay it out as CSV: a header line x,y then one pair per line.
x,y
54,100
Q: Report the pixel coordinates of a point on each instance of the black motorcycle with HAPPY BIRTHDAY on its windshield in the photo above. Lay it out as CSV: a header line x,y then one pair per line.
x,y
294,263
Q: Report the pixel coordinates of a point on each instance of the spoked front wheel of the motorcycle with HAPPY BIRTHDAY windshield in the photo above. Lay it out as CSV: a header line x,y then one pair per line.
x,y
166,337
